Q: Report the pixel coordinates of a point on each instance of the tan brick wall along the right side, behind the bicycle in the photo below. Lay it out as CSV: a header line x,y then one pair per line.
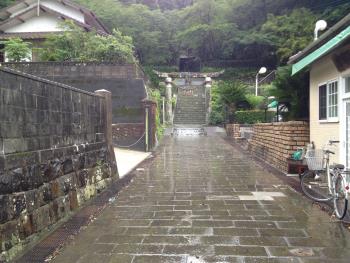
x,y
275,142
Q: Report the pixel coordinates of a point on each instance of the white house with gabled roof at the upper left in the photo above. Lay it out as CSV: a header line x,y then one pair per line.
x,y
33,20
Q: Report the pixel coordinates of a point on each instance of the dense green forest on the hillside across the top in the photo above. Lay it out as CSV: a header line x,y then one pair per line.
x,y
252,31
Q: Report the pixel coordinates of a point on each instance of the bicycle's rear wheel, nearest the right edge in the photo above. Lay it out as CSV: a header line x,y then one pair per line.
x,y
340,201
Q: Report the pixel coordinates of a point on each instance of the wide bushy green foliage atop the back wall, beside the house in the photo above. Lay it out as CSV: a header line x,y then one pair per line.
x,y
74,44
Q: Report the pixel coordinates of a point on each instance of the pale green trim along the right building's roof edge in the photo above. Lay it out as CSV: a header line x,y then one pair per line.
x,y
318,53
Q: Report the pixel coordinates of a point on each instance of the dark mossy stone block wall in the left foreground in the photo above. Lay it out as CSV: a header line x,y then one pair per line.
x,y
54,155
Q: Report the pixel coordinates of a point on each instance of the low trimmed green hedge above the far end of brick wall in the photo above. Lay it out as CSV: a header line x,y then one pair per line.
x,y
254,116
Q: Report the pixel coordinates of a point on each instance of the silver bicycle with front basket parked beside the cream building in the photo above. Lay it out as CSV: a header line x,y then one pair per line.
x,y
324,182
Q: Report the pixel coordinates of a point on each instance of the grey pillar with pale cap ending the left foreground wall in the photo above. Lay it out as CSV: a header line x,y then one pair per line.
x,y
108,128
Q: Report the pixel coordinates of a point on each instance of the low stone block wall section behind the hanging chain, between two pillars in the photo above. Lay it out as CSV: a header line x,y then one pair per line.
x,y
126,134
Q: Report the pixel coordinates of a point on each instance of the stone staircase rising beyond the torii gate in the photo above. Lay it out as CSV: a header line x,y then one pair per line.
x,y
191,107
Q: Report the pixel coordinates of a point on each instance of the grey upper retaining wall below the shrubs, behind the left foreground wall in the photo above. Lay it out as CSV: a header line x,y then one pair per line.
x,y
125,81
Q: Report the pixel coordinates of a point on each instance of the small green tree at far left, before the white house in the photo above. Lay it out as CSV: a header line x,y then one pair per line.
x,y
17,50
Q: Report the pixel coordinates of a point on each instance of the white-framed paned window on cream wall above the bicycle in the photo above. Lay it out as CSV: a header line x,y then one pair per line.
x,y
328,101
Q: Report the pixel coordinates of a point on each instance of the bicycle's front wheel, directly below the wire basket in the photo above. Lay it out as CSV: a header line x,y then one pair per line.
x,y
315,186
